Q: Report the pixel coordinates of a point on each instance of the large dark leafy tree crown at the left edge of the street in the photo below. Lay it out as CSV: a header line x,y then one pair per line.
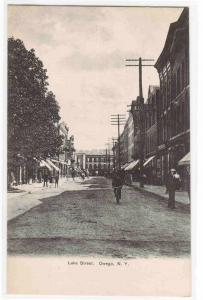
x,y
33,112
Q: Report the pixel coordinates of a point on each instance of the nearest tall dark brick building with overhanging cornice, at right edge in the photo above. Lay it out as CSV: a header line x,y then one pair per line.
x,y
173,109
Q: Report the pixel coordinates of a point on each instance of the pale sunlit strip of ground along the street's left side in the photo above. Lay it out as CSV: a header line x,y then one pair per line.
x,y
20,202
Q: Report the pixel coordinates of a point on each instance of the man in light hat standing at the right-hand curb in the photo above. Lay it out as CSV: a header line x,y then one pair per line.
x,y
172,184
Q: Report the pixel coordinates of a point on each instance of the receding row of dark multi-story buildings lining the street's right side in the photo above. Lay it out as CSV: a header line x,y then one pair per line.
x,y
164,118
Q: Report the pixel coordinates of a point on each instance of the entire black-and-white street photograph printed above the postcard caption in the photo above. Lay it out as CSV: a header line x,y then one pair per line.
x,y
98,132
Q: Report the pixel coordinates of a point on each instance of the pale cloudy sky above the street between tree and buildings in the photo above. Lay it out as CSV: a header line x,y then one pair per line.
x,y
84,51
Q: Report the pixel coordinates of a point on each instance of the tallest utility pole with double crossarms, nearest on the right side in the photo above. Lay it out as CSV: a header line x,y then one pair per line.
x,y
140,106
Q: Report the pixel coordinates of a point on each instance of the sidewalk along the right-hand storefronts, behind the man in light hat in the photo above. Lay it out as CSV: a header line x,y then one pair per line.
x,y
181,196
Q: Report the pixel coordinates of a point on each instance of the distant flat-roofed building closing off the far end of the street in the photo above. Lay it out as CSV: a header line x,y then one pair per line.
x,y
96,164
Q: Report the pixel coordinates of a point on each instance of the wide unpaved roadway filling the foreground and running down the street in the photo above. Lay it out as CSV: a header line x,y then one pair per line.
x,y
84,220
